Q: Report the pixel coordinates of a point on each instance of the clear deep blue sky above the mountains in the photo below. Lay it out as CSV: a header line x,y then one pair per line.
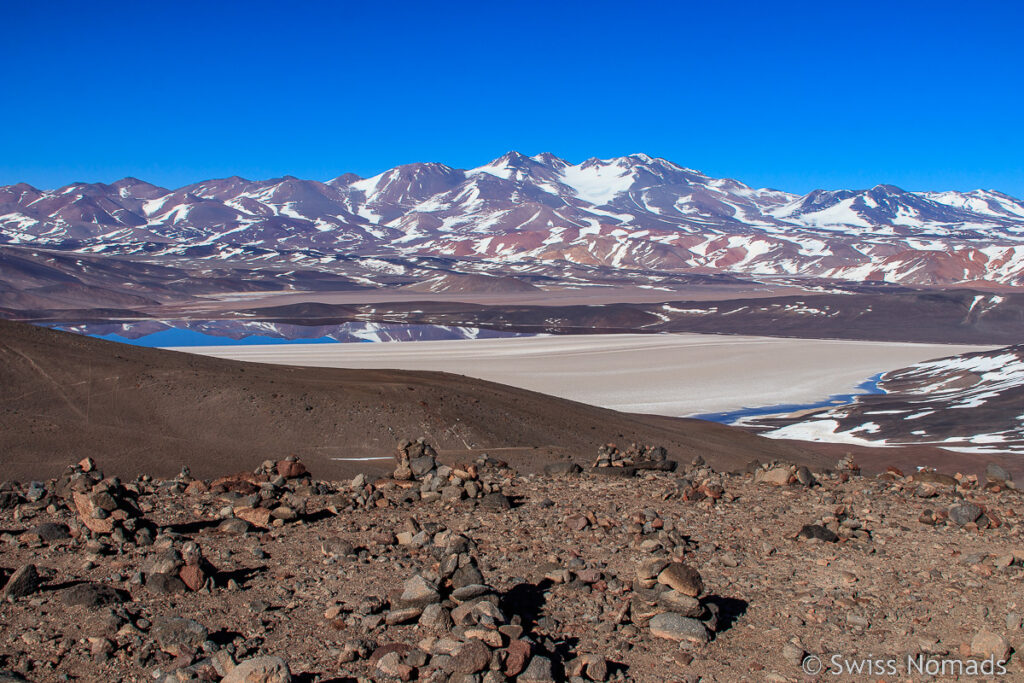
x,y
927,96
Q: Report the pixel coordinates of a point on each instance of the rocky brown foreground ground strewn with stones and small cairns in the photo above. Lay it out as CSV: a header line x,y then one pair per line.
x,y
633,568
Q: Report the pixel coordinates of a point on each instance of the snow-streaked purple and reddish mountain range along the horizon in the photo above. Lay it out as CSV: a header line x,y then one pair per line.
x,y
630,212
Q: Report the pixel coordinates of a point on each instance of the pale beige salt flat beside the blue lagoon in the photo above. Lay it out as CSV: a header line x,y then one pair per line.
x,y
671,375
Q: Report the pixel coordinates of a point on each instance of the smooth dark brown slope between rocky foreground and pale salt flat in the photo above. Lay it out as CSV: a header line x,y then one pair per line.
x,y
67,397
